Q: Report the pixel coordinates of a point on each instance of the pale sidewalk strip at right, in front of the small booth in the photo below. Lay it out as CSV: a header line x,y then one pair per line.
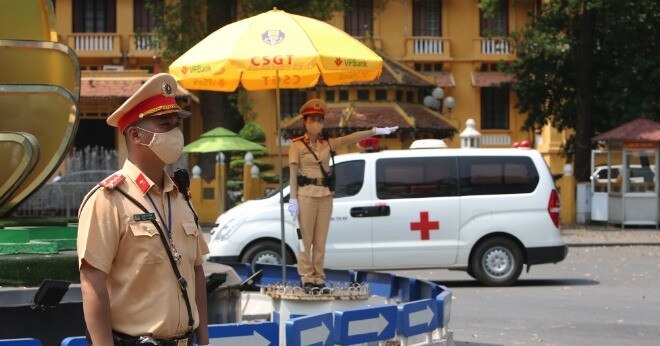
x,y
608,235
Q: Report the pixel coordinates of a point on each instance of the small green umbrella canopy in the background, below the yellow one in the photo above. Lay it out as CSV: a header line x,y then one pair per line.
x,y
221,139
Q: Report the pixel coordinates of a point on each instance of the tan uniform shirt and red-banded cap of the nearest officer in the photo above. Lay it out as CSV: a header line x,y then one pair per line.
x,y
115,236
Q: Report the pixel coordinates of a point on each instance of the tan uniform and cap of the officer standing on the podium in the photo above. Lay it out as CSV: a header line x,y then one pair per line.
x,y
315,202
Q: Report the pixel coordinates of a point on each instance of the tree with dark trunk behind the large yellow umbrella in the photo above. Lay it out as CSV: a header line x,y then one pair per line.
x,y
183,23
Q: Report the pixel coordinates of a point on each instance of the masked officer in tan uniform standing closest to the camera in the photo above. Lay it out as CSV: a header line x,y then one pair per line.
x,y
140,249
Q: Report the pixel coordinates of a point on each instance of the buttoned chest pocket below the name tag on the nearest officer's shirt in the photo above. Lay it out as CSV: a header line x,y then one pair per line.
x,y
146,244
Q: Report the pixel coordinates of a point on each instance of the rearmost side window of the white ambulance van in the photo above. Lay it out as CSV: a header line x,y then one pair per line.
x,y
497,175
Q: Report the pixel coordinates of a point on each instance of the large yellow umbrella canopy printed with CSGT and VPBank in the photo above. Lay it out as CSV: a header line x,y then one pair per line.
x,y
273,50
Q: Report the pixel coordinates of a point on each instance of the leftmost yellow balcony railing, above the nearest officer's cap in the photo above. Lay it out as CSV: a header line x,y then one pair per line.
x,y
96,45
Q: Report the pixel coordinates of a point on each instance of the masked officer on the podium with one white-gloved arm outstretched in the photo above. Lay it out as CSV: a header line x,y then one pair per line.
x,y
310,182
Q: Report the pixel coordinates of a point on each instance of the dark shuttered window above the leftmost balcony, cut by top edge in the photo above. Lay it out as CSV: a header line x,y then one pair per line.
x,y
94,16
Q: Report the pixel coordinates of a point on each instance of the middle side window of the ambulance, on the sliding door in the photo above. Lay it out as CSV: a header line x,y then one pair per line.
x,y
416,177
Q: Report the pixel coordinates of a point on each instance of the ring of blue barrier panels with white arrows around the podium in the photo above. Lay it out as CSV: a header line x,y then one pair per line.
x,y
342,327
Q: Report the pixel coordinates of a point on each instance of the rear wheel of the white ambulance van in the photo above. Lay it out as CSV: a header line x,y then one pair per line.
x,y
497,262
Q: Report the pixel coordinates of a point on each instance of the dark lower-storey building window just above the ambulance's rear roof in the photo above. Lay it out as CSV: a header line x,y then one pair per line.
x,y
495,108
